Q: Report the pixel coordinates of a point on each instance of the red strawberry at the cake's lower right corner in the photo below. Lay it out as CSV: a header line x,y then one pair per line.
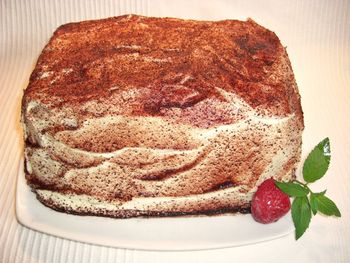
x,y
269,203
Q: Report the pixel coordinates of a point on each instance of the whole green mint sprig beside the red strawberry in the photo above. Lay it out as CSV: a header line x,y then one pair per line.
x,y
307,203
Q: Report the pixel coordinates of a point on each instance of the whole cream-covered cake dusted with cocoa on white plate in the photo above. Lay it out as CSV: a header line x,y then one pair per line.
x,y
141,116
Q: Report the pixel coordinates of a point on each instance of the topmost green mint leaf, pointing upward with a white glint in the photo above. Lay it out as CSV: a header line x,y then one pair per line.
x,y
317,162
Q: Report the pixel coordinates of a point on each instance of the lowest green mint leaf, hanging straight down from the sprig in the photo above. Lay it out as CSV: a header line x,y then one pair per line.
x,y
301,214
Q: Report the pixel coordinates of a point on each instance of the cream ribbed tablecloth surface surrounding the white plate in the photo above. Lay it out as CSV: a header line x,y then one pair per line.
x,y
317,37
